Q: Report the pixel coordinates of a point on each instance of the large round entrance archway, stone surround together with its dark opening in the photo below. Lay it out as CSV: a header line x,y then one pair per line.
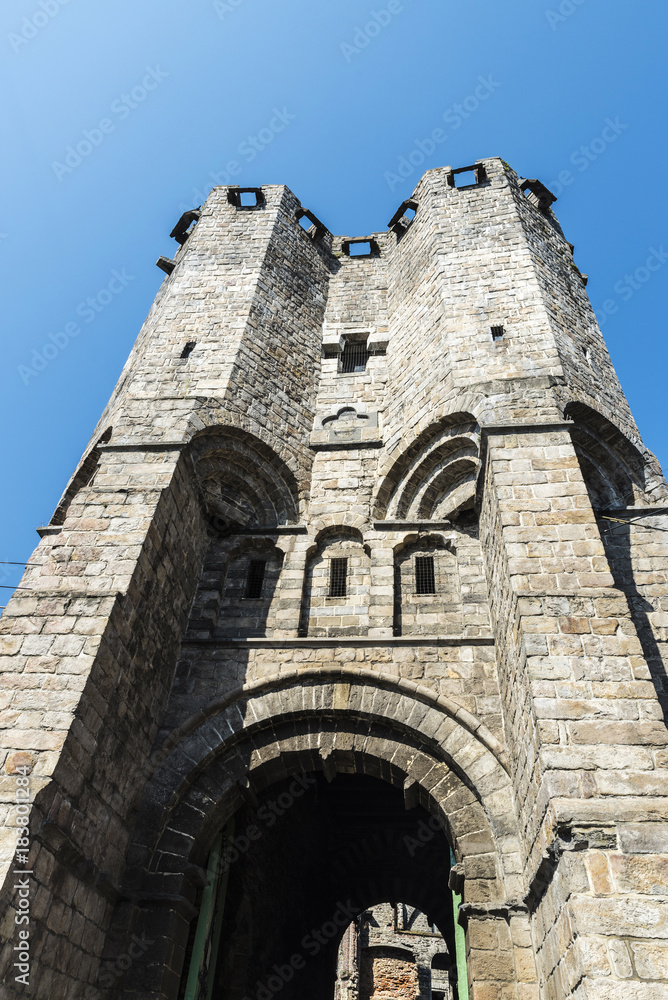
x,y
358,744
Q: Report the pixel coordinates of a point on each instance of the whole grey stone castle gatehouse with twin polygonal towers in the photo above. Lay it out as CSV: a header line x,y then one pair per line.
x,y
358,596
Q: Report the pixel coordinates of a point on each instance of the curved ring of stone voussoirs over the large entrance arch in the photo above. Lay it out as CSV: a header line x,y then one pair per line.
x,y
343,721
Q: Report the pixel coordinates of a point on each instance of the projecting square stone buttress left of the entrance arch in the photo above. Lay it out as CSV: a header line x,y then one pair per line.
x,y
88,661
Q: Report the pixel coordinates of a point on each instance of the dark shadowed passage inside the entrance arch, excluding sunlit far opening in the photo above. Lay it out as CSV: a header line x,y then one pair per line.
x,y
306,857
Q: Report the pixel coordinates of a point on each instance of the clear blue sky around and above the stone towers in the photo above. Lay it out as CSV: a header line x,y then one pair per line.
x,y
183,88
